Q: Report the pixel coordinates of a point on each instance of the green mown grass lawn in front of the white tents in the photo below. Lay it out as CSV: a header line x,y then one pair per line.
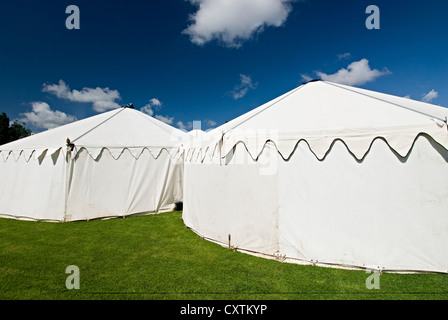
x,y
156,257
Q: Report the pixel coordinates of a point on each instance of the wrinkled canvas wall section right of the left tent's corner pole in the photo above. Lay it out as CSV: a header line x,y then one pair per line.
x,y
109,187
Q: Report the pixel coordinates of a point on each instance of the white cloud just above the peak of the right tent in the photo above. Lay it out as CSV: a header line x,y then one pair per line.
x,y
357,73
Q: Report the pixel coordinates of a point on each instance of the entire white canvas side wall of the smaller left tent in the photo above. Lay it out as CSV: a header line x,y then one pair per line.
x,y
47,189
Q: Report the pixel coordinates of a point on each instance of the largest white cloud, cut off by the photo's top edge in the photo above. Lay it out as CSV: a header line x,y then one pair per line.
x,y
233,21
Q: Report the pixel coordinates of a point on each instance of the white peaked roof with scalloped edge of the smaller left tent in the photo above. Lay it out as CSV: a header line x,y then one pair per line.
x,y
116,130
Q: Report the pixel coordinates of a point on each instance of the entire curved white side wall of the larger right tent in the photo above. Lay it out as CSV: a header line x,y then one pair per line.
x,y
382,212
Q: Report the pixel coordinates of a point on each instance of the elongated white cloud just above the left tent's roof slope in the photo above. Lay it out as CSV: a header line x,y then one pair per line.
x,y
103,99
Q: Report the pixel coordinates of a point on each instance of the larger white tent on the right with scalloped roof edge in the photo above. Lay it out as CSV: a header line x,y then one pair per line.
x,y
326,174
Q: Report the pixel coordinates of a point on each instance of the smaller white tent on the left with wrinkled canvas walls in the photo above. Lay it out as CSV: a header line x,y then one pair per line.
x,y
118,163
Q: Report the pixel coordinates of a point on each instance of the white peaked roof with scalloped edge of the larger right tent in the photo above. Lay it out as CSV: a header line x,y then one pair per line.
x,y
321,112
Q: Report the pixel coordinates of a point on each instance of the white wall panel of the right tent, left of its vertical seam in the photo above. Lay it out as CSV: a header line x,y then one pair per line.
x,y
232,199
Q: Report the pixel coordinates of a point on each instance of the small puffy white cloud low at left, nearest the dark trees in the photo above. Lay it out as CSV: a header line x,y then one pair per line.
x,y
43,117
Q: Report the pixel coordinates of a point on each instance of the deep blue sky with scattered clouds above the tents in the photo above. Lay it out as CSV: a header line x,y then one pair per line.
x,y
210,60
